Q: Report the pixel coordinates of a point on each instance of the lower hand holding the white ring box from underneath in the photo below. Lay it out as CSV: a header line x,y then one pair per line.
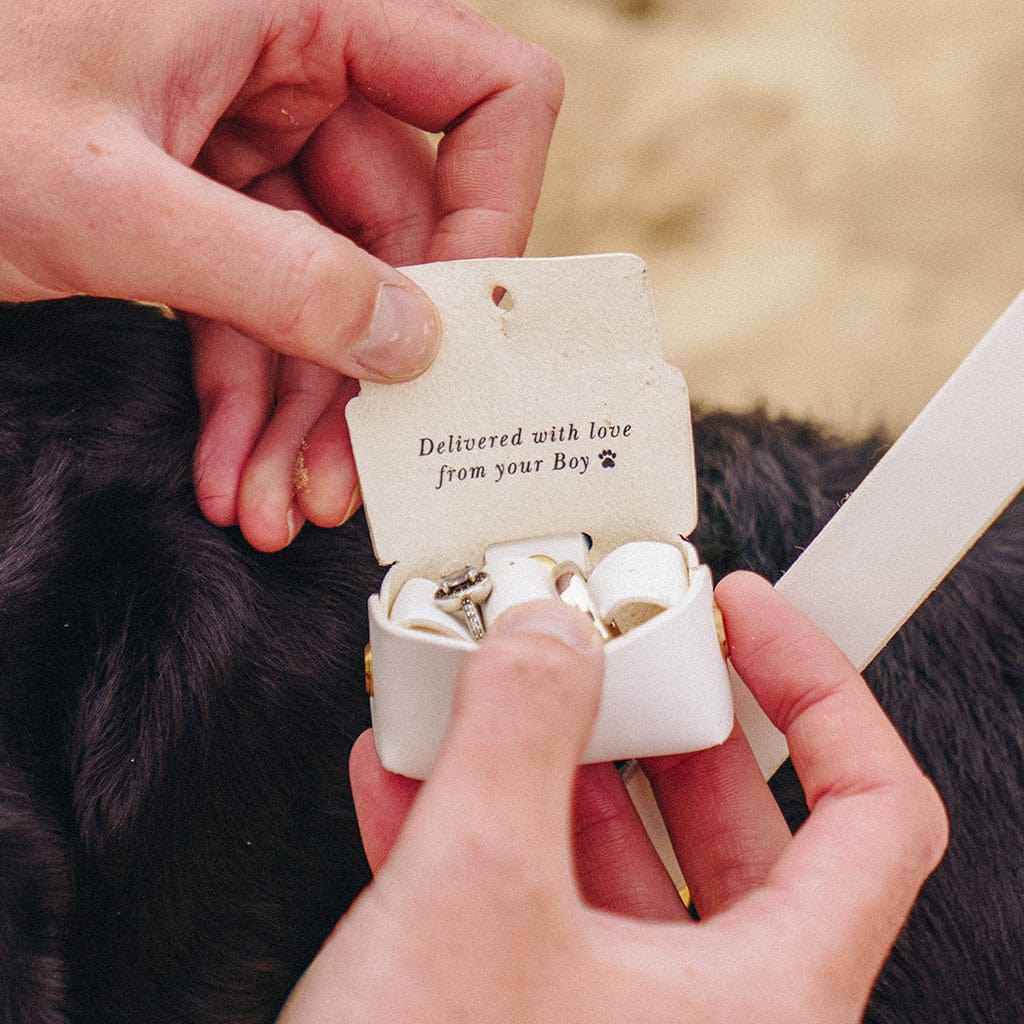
x,y
477,914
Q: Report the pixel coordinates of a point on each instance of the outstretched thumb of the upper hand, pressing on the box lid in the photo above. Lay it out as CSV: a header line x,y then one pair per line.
x,y
276,276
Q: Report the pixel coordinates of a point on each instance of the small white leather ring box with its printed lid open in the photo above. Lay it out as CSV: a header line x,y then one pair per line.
x,y
549,416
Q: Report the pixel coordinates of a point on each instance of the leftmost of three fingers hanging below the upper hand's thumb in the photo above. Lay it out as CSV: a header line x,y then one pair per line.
x,y
234,378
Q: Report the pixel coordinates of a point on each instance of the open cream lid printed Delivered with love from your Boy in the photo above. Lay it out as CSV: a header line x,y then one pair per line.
x,y
549,410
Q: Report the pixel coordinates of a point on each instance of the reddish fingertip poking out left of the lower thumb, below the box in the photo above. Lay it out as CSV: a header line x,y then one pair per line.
x,y
382,800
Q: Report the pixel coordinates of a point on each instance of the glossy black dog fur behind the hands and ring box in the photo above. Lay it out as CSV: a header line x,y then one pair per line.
x,y
177,710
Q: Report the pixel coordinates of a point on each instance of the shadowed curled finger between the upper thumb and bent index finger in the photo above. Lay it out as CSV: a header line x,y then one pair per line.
x,y
372,177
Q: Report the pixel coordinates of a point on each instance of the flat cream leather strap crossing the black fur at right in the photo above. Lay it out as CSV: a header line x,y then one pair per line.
x,y
936,491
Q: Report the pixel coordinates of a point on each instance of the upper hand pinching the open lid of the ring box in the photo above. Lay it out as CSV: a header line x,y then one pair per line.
x,y
145,151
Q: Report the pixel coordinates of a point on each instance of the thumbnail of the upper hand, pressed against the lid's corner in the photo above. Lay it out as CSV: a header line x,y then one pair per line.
x,y
404,335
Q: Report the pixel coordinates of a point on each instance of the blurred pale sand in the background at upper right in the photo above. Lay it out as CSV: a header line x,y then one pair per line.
x,y
830,195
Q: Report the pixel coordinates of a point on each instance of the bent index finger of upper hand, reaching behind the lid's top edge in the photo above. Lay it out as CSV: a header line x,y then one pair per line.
x,y
445,69
